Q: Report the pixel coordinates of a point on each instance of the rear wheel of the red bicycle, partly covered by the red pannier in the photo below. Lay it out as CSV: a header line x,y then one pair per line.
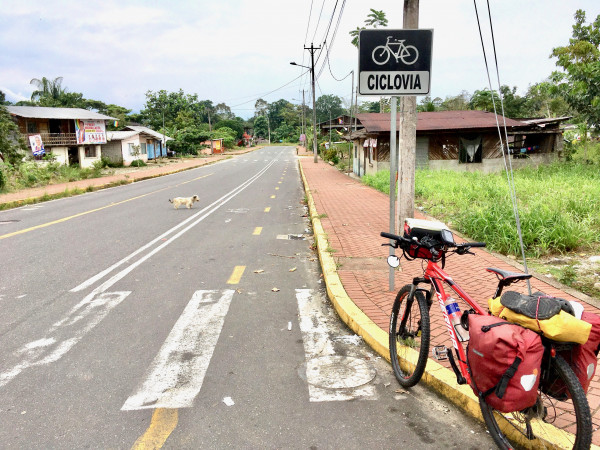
x,y
564,419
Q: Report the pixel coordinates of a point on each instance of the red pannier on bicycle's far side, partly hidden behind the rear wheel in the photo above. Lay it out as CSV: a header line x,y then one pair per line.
x,y
582,358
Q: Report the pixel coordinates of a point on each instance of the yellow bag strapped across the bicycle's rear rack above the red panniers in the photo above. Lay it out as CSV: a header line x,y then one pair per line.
x,y
562,327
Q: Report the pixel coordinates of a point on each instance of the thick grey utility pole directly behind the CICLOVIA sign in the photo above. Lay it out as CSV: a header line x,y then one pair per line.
x,y
408,134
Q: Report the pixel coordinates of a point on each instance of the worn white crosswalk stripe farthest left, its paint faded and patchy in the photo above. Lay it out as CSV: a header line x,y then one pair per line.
x,y
63,335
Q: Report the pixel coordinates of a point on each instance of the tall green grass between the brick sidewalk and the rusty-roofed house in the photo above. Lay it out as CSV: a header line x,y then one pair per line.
x,y
559,206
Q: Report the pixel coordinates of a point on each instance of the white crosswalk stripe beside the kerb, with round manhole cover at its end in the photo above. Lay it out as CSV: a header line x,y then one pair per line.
x,y
330,377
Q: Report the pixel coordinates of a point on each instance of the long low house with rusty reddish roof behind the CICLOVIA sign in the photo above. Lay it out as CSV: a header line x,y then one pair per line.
x,y
458,140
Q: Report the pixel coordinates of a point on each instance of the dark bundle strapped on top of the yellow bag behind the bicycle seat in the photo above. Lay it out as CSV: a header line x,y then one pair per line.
x,y
529,306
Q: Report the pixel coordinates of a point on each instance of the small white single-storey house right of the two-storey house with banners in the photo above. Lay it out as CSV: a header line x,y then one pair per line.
x,y
135,142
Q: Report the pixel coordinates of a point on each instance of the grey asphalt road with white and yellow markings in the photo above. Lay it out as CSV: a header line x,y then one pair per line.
x,y
126,323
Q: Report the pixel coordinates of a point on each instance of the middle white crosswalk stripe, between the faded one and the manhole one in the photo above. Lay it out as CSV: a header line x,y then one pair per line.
x,y
177,373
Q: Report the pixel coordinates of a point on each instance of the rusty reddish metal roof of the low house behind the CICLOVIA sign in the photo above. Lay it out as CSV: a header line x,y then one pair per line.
x,y
439,120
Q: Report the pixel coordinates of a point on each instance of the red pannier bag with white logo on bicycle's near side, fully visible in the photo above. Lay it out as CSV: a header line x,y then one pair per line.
x,y
504,361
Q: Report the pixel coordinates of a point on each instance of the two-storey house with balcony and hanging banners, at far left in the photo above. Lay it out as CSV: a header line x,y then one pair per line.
x,y
72,135
